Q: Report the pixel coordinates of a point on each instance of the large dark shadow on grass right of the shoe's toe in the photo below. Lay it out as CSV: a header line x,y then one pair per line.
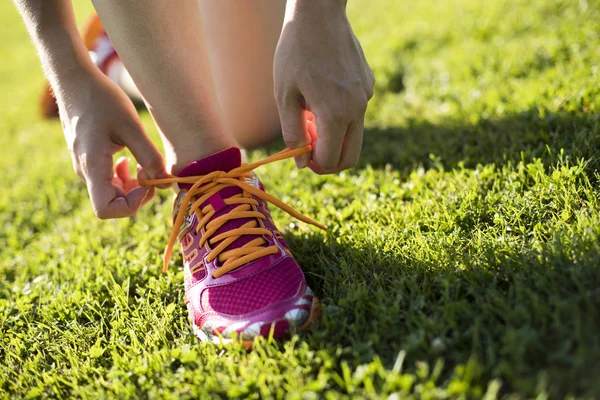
x,y
528,318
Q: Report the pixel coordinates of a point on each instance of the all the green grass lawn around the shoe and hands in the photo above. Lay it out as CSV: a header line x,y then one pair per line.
x,y
463,257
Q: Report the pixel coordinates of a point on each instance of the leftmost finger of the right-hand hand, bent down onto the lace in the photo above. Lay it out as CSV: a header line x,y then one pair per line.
x,y
294,130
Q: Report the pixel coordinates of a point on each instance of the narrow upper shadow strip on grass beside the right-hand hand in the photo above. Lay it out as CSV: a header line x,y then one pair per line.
x,y
531,133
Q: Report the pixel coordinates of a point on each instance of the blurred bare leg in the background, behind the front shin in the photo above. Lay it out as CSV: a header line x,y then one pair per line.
x,y
241,39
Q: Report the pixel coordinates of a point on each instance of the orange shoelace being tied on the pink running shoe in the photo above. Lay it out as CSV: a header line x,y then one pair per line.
x,y
205,186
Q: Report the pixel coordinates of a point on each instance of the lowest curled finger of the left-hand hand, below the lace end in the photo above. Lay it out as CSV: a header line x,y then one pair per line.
x,y
108,200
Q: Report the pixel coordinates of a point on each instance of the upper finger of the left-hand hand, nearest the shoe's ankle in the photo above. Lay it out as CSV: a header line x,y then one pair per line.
x,y
144,151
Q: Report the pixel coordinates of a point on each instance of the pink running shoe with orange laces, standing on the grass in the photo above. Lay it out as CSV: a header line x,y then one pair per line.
x,y
240,275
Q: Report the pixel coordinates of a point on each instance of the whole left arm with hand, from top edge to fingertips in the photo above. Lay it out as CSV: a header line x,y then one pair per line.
x,y
98,118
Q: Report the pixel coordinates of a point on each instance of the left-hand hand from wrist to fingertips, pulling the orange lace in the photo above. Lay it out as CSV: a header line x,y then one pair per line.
x,y
99,120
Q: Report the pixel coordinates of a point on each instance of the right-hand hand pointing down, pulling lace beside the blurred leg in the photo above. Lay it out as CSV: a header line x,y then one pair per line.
x,y
320,68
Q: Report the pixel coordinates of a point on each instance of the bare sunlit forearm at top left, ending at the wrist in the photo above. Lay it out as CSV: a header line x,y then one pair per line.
x,y
51,25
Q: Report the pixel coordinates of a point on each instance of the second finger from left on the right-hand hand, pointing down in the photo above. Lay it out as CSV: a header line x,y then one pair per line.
x,y
328,147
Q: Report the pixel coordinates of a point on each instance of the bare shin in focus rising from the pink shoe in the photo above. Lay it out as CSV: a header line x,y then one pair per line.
x,y
162,45
